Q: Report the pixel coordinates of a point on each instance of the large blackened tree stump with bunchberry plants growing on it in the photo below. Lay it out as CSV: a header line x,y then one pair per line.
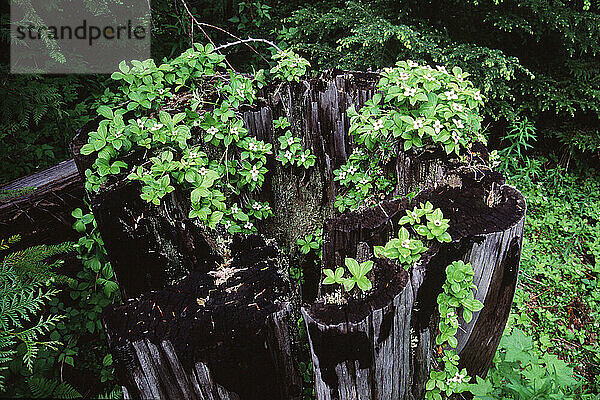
x,y
218,340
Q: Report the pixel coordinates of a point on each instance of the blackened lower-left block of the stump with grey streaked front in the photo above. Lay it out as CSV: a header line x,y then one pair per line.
x,y
205,337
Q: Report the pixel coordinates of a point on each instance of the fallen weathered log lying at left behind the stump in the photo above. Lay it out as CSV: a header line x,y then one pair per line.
x,y
44,214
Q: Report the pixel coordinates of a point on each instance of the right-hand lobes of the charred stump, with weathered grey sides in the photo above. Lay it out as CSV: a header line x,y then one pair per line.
x,y
352,359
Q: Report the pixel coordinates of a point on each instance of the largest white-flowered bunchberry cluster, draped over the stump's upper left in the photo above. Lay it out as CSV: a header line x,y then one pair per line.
x,y
221,174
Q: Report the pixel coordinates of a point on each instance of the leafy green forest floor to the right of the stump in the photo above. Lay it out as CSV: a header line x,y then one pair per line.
x,y
556,312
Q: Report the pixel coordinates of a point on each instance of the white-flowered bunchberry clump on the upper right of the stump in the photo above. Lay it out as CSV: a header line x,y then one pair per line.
x,y
416,107
